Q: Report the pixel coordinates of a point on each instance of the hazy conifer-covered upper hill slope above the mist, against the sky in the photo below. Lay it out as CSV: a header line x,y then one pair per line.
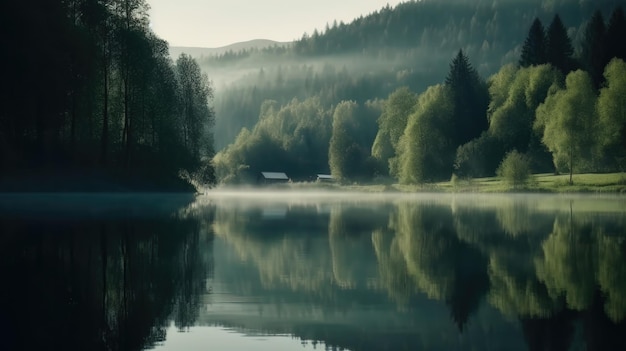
x,y
483,28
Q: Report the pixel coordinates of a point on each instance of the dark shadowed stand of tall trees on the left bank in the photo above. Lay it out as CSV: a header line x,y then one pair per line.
x,y
89,87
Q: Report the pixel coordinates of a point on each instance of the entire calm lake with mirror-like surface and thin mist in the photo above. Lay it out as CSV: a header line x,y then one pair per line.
x,y
302,271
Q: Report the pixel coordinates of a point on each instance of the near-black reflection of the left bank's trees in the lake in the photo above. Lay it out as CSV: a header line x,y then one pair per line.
x,y
99,278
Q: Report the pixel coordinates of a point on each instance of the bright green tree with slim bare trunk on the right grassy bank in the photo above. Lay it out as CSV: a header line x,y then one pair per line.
x,y
568,120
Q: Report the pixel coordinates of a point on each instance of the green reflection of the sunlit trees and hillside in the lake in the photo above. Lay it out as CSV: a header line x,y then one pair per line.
x,y
538,271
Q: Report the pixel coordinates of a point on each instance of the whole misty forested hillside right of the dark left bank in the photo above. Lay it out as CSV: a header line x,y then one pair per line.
x,y
427,90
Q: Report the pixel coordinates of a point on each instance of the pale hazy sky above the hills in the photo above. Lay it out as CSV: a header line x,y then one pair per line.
x,y
214,23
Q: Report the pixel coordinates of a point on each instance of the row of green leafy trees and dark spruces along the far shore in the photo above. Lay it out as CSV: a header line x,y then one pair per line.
x,y
548,108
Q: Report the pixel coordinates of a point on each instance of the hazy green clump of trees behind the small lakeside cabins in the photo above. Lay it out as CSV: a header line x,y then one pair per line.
x,y
286,139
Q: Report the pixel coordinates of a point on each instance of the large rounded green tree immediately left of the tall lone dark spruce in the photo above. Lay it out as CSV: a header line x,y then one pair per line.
x,y
425,152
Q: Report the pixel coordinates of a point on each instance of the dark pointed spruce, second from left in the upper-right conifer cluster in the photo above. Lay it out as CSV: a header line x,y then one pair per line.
x,y
559,49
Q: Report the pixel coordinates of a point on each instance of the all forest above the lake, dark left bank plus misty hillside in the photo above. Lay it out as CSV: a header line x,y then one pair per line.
x,y
420,92
